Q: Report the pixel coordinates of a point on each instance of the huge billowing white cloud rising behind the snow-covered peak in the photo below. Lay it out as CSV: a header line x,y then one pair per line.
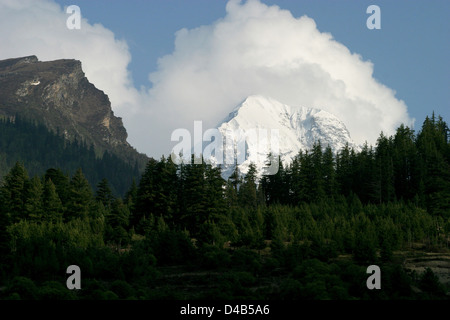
x,y
260,49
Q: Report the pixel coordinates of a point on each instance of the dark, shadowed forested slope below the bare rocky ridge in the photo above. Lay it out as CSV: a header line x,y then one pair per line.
x,y
39,149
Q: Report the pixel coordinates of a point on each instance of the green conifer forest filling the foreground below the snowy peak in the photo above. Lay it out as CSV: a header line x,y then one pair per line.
x,y
182,232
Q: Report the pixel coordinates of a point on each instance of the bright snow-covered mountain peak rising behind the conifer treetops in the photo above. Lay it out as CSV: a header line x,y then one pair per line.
x,y
271,126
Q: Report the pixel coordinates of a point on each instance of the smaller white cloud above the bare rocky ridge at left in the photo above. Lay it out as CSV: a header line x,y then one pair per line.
x,y
30,27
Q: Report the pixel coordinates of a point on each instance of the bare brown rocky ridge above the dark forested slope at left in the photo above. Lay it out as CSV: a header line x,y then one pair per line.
x,y
58,94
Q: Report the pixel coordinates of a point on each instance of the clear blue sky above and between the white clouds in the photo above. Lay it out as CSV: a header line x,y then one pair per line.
x,y
410,53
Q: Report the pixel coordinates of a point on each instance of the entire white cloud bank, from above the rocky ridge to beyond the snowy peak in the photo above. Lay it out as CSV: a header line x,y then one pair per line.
x,y
253,49
